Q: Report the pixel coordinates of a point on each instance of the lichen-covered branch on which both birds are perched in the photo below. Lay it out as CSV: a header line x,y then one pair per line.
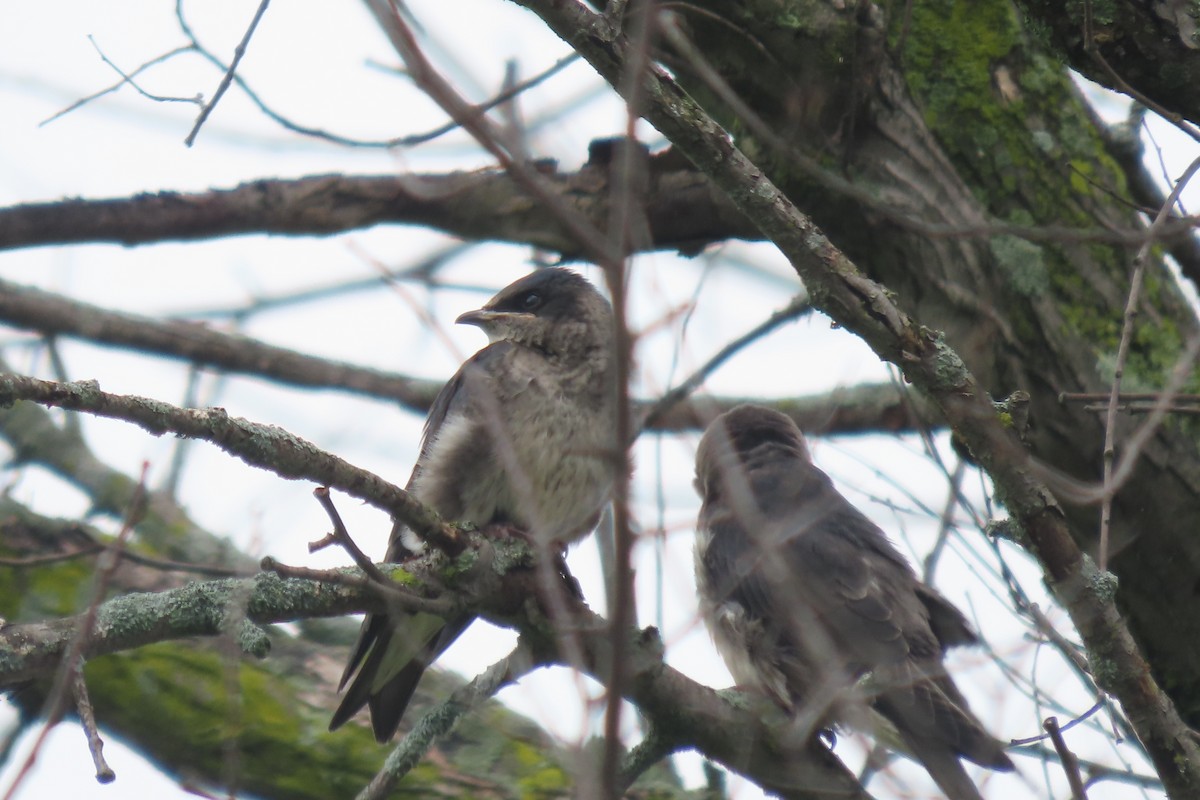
x,y
733,729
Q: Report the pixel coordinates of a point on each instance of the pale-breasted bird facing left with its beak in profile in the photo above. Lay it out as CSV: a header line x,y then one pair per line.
x,y
521,437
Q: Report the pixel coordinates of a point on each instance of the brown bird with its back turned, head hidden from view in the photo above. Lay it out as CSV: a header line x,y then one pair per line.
x,y
809,603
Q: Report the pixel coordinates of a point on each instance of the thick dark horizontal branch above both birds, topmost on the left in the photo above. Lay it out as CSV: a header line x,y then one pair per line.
x,y
683,210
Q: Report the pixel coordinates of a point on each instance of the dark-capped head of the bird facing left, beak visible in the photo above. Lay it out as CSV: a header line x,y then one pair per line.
x,y
554,310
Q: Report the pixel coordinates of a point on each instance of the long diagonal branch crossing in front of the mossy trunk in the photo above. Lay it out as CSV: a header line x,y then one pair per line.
x,y
866,308
